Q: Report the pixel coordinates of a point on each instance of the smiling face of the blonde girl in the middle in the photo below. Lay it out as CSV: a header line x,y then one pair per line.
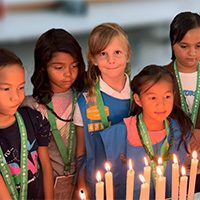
x,y
113,59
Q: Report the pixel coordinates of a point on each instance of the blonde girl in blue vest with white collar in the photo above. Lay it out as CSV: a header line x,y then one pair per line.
x,y
107,100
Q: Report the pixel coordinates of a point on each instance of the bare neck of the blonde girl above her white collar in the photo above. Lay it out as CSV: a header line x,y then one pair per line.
x,y
116,83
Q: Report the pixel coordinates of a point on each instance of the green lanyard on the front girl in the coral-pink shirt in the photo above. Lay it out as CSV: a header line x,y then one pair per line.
x,y
147,142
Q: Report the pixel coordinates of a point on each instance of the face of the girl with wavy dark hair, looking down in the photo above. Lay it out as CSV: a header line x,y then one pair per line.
x,y
62,70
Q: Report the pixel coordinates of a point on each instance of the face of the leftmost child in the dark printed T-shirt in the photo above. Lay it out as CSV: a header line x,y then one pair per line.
x,y
12,80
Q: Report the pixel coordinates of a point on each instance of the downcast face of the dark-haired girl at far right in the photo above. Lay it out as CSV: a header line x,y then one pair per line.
x,y
187,51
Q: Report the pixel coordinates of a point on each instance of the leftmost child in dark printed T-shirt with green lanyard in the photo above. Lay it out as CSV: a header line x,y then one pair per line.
x,y
24,136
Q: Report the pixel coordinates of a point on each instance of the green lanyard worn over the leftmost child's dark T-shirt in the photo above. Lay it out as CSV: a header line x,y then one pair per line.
x,y
23,165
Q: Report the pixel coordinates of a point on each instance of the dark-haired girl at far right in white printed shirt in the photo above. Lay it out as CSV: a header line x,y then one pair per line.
x,y
185,65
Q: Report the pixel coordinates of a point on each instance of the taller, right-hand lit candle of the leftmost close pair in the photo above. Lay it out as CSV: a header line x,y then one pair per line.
x,y
109,182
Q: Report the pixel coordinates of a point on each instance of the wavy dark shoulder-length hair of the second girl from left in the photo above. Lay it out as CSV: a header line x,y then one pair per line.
x,y
49,43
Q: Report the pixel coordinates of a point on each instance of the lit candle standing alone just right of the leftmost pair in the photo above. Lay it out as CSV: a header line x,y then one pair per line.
x,y
130,181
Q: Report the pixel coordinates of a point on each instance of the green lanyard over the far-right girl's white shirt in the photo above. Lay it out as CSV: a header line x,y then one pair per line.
x,y
184,105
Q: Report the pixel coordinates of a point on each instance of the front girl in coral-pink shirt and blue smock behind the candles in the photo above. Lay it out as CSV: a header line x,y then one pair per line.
x,y
157,128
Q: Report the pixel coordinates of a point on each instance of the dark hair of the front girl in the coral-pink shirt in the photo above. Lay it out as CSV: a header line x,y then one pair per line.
x,y
149,76
